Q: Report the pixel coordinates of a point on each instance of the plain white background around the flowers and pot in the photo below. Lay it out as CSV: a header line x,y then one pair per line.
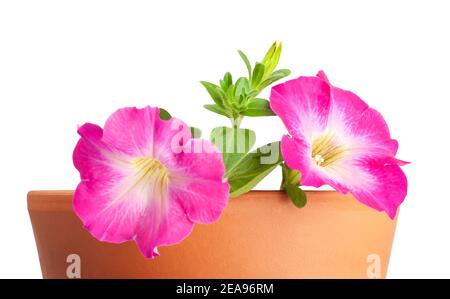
x,y
63,63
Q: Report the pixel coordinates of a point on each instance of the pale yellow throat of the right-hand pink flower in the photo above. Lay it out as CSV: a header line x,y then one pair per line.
x,y
326,149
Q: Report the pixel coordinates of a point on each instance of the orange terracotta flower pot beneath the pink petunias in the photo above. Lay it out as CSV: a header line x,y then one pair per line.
x,y
260,235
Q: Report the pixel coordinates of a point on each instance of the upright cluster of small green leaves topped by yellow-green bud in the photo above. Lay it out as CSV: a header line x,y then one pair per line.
x,y
238,99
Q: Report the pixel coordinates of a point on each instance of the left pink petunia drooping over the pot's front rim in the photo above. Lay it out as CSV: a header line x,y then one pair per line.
x,y
145,179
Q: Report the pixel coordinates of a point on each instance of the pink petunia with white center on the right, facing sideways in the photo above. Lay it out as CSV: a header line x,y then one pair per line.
x,y
338,140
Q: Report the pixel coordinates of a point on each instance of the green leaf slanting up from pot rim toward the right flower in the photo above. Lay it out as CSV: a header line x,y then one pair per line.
x,y
253,168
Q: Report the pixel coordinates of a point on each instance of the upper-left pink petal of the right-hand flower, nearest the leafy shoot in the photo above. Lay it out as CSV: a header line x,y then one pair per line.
x,y
303,105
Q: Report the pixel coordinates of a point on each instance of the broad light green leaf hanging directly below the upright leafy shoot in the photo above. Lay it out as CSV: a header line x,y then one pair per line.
x,y
234,143
